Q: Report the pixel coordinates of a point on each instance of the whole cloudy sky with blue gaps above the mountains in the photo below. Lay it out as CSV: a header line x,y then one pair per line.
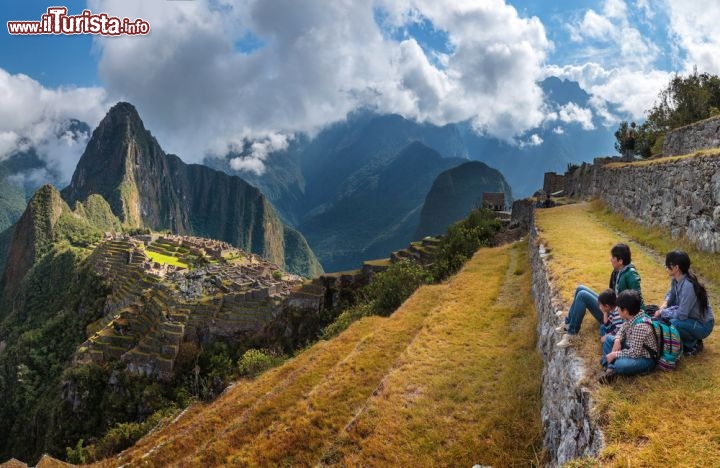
x,y
215,74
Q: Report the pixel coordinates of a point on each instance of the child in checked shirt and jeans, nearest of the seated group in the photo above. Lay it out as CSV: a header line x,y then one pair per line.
x,y
634,344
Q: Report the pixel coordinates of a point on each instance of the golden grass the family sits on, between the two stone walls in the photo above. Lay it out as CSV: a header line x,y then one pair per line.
x,y
664,419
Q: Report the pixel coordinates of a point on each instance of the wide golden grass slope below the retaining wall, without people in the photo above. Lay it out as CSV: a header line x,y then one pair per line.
x,y
450,379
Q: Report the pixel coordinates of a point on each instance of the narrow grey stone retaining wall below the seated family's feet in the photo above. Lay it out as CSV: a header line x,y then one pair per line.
x,y
568,428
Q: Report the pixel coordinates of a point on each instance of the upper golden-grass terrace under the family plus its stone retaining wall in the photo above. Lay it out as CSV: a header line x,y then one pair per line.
x,y
662,419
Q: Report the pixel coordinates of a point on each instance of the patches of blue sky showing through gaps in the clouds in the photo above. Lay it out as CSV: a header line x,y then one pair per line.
x,y
70,61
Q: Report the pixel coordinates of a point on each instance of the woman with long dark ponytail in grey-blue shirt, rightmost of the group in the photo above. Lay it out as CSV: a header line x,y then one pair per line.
x,y
686,304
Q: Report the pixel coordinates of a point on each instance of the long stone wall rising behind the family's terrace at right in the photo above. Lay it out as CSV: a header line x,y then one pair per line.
x,y
682,196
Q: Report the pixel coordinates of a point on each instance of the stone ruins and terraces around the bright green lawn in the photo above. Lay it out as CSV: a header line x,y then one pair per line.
x,y
167,289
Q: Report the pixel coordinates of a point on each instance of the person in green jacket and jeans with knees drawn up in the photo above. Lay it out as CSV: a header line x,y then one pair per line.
x,y
624,276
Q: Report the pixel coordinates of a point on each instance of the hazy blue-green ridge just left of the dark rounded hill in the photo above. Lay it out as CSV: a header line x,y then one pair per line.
x,y
378,209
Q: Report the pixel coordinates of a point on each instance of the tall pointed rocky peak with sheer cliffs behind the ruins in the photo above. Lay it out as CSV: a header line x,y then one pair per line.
x,y
147,188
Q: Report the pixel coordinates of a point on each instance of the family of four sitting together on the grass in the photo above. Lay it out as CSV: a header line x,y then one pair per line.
x,y
626,331
